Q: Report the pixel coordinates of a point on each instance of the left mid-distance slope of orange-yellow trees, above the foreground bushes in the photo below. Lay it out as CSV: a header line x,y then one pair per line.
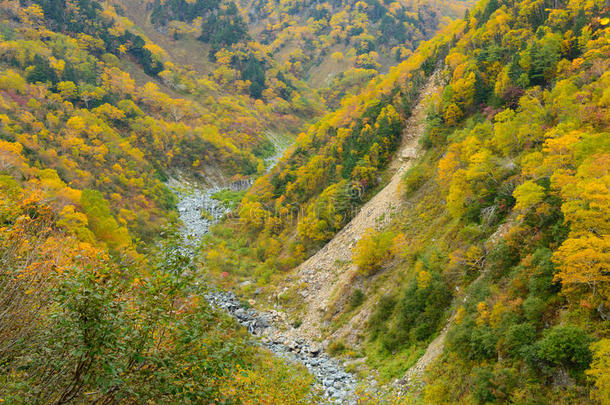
x,y
111,134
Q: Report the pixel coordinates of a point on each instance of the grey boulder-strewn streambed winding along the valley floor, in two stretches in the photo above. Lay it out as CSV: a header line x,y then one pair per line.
x,y
198,211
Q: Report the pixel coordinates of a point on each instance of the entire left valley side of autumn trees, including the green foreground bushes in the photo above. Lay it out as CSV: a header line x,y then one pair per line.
x,y
97,304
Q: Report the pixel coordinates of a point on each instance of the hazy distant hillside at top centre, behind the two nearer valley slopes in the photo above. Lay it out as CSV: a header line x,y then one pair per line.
x,y
336,47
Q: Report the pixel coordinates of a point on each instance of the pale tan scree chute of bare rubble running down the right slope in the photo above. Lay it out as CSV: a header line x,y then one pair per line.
x,y
330,268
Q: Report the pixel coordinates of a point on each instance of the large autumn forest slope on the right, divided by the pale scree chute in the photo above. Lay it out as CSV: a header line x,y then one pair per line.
x,y
504,234
